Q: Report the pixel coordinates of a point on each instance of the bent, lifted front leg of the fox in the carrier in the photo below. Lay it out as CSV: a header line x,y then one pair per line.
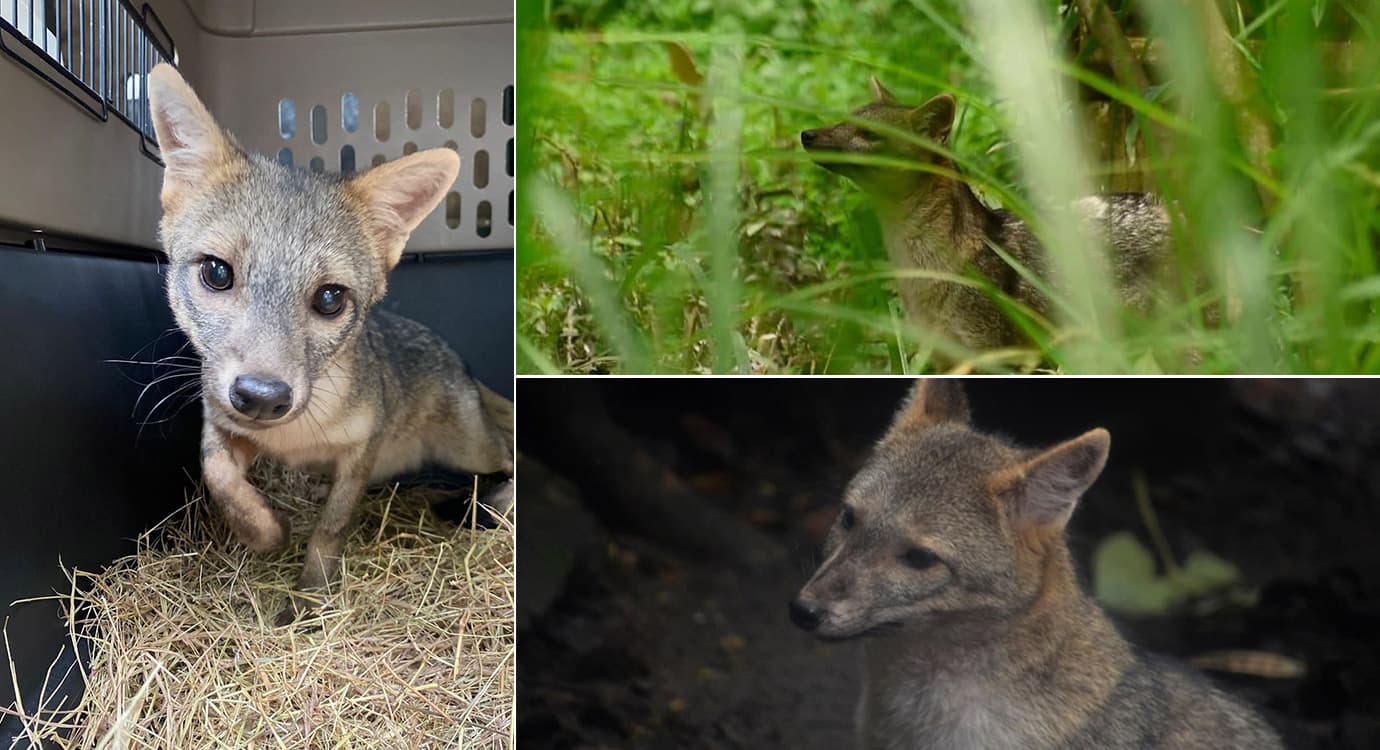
x,y
226,461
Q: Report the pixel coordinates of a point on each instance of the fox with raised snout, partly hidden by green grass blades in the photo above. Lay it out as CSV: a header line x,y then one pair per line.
x,y
932,222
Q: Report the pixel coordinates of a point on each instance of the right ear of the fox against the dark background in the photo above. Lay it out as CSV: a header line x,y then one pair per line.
x,y
1040,494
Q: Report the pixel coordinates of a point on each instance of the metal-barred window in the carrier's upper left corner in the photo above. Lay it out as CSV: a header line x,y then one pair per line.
x,y
99,53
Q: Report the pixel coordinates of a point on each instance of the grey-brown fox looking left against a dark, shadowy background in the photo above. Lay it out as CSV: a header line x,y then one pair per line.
x,y
949,563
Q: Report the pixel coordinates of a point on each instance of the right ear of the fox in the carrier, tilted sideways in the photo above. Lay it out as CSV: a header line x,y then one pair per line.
x,y
398,195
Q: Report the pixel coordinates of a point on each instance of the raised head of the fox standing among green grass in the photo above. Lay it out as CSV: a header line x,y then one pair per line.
x,y
932,121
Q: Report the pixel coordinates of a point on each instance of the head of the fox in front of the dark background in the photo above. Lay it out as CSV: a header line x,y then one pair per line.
x,y
946,526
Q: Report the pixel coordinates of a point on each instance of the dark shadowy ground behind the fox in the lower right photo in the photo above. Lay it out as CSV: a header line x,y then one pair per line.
x,y
667,523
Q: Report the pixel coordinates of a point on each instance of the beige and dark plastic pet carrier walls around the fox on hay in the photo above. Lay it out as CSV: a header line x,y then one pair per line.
x,y
321,85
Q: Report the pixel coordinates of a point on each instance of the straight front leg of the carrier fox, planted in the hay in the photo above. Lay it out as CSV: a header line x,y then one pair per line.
x,y
324,552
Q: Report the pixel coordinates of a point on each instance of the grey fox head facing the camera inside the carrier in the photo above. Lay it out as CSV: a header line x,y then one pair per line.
x,y
271,270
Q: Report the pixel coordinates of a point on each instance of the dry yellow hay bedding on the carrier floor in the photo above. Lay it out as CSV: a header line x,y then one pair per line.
x,y
417,648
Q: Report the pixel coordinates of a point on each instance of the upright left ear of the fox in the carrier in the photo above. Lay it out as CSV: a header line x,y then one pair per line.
x,y
191,143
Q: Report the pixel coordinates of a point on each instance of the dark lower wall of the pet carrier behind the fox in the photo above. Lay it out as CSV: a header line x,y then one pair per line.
x,y
82,477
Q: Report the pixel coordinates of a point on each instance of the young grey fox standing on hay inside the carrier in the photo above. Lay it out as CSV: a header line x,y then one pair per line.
x,y
274,276
